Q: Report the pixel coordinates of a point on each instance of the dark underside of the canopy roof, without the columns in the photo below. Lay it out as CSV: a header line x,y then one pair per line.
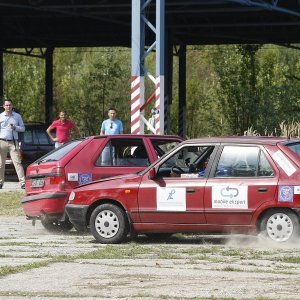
x,y
63,23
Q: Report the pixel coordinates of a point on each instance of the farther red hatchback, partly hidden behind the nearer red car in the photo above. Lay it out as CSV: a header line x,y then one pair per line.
x,y
50,179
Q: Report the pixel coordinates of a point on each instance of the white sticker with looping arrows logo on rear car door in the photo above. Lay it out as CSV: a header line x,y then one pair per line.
x,y
230,196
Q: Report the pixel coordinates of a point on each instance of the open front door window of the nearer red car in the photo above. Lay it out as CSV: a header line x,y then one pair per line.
x,y
189,161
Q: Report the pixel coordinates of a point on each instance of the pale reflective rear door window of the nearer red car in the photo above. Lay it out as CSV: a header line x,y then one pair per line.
x,y
238,161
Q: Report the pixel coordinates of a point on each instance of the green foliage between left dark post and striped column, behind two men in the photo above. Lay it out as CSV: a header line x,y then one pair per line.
x,y
91,82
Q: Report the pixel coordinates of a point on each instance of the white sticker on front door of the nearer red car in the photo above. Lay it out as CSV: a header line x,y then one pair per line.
x,y
171,199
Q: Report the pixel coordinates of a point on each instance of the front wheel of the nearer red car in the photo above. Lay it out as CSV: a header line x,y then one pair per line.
x,y
109,224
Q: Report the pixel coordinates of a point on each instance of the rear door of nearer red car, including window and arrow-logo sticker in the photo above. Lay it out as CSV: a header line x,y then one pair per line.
x,y
242,179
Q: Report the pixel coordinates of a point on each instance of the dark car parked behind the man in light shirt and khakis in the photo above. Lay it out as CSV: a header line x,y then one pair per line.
x,y
33,143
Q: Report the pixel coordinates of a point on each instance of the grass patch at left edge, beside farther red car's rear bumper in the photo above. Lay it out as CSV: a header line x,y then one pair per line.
x,y
10,204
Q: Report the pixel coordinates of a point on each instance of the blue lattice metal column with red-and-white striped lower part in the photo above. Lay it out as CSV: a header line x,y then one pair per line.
x,y
139,54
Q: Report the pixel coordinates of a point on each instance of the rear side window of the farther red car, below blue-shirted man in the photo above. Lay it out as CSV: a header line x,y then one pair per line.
x,y
123,153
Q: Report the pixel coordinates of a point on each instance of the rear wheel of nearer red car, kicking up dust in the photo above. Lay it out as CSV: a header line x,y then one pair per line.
x,y
280,225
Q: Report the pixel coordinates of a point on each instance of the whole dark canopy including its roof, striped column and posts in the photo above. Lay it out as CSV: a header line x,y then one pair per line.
x,y
161,24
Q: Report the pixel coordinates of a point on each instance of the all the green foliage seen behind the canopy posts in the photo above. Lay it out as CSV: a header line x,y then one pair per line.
x,y
231,89
